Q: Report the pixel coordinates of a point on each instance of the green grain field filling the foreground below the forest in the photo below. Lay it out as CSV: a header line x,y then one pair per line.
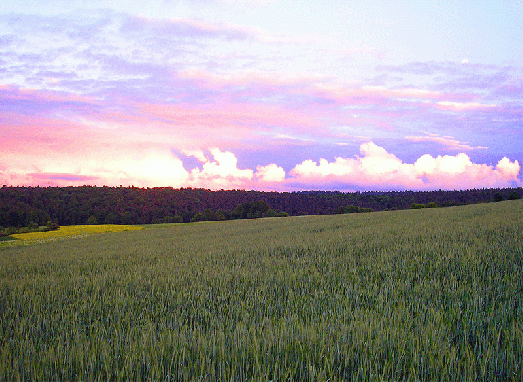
x,y
432,294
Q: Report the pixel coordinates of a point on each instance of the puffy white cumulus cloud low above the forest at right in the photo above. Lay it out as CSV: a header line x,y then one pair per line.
x,y
378,168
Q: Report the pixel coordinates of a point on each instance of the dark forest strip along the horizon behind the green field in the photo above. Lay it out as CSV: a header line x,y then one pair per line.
x,y
45,206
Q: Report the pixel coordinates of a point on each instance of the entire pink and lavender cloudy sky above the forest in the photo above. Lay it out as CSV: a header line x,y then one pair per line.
x,y
262,94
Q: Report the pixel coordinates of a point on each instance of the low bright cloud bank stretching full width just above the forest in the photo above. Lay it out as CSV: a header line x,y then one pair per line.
x,y
375,169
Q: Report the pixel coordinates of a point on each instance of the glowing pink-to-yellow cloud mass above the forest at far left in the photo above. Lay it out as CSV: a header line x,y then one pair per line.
x,y
47,150
